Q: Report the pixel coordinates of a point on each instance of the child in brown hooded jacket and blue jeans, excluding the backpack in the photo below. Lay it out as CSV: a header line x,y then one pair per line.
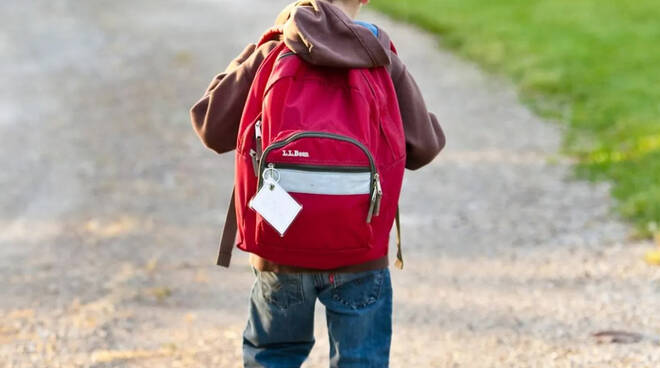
x,y
358,298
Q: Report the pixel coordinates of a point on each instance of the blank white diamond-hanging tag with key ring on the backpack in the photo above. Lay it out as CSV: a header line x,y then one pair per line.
x,y
274,204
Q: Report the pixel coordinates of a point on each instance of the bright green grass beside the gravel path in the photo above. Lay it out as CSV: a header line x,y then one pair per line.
x,y
592,64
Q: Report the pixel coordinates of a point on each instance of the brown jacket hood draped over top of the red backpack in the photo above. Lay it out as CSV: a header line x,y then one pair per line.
x,y
322,34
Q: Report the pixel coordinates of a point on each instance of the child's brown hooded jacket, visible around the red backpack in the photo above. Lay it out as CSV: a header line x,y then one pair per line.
x,y
321,34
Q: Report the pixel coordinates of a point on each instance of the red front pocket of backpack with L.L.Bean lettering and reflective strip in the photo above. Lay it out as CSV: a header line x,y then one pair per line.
x,y
335,180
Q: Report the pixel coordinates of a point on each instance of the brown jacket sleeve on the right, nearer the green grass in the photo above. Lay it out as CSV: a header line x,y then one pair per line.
x,y
424,136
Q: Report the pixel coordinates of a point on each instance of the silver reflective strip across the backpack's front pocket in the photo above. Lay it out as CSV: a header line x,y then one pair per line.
x,y
323,182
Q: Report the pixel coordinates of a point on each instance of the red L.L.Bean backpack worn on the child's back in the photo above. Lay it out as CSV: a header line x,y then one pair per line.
x,y
335,139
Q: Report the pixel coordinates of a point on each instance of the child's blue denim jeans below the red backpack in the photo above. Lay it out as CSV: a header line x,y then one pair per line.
x,y
280,328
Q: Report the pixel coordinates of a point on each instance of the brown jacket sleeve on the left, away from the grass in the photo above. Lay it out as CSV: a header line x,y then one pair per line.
x,y
217,115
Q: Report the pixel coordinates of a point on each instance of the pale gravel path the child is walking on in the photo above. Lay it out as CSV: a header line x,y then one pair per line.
x,y
111,207
